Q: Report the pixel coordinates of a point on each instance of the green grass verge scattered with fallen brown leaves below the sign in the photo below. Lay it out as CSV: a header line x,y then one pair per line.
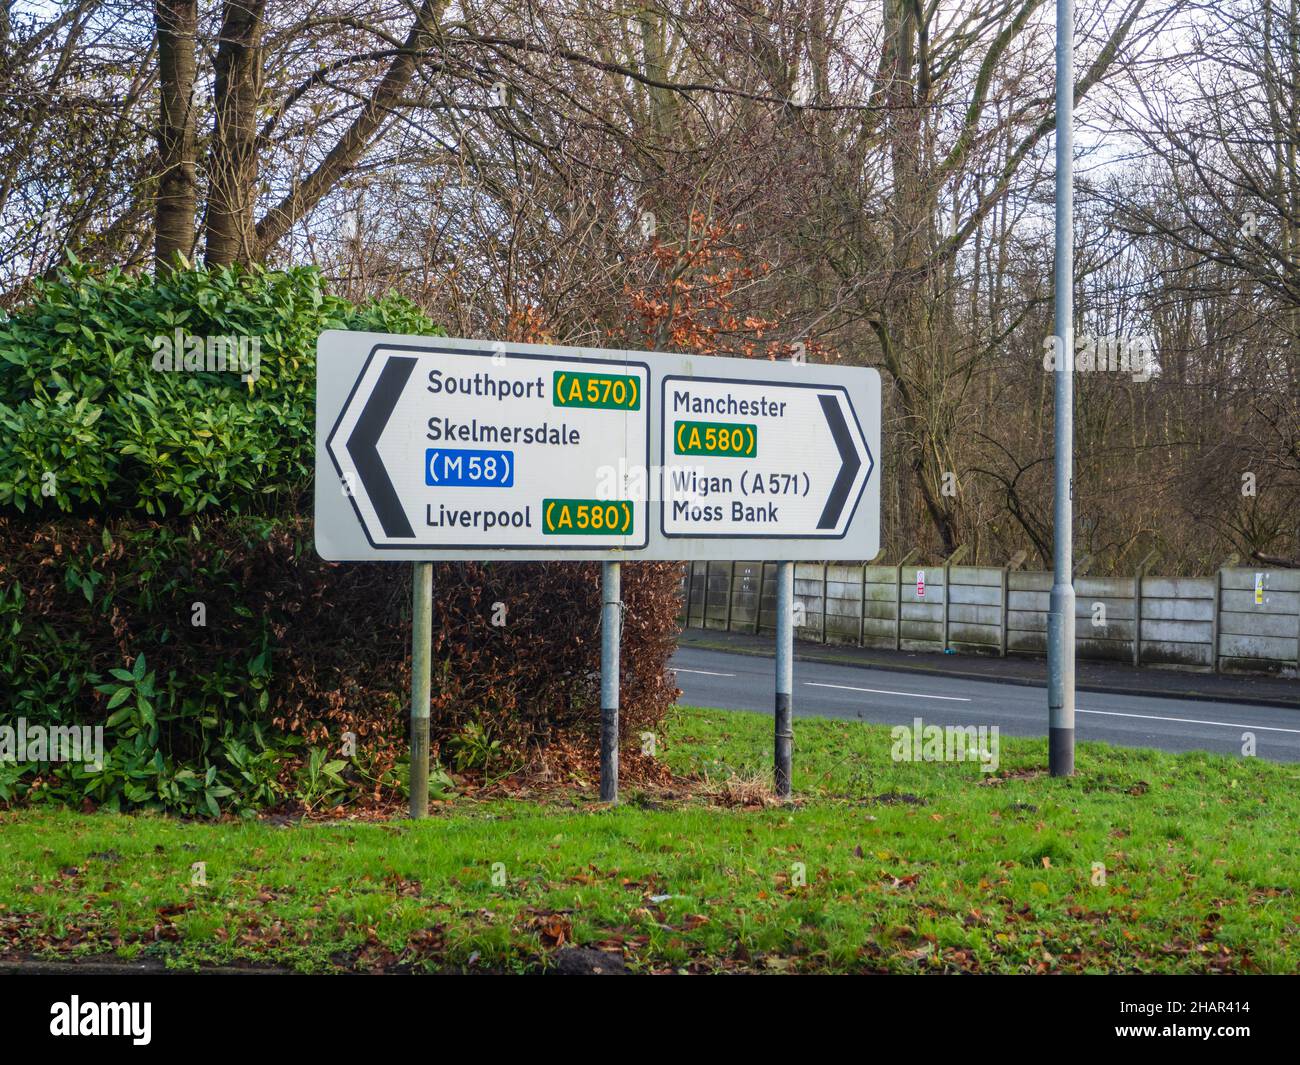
x,y
1202,860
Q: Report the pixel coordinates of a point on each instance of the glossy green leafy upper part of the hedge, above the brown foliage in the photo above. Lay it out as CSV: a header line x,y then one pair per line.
x,y
92,422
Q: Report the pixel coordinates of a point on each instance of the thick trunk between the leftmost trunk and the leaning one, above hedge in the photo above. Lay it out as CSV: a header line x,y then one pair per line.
x,y
233,163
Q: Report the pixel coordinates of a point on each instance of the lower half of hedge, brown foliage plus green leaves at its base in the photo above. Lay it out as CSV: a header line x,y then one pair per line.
x,y
293,653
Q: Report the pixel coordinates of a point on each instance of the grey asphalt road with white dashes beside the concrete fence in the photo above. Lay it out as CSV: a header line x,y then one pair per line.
x,y
743,682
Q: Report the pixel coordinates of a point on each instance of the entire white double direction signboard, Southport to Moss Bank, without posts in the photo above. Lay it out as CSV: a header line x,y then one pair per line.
x,y
432,448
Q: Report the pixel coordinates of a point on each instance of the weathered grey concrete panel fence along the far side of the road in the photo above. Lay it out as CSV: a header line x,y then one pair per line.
x,y
1240,620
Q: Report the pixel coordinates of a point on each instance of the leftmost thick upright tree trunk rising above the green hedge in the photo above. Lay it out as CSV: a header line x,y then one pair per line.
x,y
175,210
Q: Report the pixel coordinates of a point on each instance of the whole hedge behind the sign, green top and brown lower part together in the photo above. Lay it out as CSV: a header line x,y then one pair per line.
x,y
168,588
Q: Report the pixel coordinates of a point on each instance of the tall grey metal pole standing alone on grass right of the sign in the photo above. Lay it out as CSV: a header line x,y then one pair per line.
x,y
1061,607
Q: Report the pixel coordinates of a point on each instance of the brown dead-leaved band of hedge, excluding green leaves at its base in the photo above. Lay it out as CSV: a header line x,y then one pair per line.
x,y
517,646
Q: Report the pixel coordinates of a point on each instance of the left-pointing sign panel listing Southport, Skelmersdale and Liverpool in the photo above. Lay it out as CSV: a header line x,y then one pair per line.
x,y
480,449
